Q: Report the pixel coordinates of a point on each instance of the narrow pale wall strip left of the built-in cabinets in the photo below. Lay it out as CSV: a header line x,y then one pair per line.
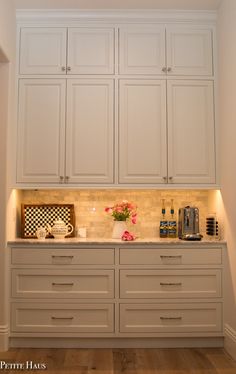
x,y
7,74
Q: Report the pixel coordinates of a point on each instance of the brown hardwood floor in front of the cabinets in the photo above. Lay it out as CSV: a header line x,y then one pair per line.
x,y
116,361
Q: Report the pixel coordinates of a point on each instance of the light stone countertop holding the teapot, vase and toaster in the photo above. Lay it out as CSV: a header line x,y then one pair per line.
x,y
109,241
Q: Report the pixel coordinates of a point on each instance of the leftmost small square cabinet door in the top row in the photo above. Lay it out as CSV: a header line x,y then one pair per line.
x,y
43,50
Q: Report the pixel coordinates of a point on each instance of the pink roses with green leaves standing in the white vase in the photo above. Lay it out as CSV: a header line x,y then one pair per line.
x,y
123,211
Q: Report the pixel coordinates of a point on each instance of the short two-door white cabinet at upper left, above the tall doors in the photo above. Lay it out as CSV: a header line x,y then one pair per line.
x,y
61,51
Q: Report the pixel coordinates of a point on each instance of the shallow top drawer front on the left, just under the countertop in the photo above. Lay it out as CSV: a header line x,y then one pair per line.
x,y
48,256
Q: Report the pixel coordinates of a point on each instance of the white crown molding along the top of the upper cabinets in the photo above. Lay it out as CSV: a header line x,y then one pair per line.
x,y
52,16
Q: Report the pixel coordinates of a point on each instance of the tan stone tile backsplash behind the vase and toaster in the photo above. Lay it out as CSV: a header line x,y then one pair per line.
x,y
90,204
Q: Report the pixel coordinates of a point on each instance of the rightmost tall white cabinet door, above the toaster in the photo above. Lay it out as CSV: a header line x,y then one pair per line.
x,y
191,141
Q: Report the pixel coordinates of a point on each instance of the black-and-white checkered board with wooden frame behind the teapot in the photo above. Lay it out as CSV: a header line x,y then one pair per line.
x,y
34,216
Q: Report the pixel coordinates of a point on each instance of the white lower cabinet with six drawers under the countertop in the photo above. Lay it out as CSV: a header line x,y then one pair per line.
x,y
102,291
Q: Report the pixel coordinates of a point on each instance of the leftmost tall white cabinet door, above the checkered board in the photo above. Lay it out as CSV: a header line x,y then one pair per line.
x,y
41,130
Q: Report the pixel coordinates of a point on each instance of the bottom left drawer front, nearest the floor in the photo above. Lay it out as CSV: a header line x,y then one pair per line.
x,y
45,317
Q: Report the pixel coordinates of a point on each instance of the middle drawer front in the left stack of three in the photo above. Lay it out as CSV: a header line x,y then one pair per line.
x,y
67,284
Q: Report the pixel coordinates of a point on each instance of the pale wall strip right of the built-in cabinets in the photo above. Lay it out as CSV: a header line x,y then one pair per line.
x,y
227,103
